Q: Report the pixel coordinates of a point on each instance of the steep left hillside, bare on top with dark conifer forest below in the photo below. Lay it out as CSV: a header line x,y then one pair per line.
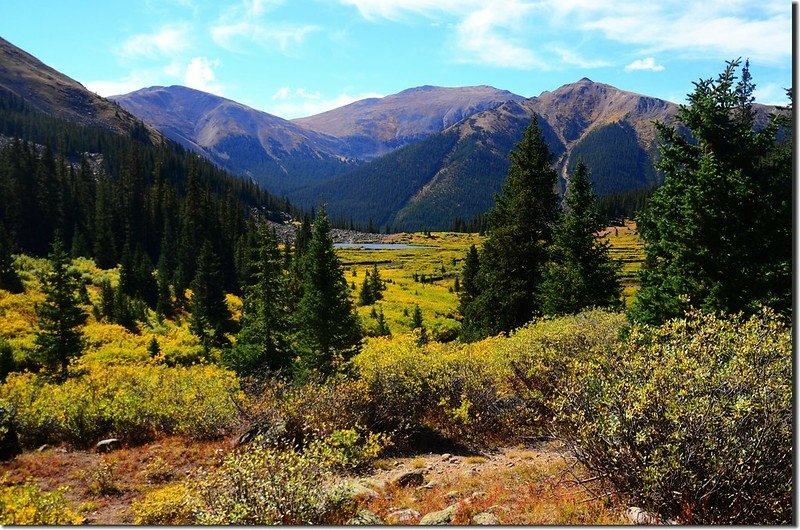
x,y
71,171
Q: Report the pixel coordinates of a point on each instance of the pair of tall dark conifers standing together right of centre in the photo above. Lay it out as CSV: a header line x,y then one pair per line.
x,y
536,259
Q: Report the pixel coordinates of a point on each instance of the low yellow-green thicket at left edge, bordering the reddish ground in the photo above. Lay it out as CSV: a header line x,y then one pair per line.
x,y
133,403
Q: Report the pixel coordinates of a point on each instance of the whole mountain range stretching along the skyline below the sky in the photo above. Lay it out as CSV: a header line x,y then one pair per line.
x,y
418,159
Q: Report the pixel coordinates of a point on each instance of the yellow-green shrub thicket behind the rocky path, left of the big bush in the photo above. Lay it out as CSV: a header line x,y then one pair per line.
x,y
475,393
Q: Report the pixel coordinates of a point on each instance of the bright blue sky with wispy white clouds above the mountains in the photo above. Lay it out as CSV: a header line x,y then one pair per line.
x,y
298,57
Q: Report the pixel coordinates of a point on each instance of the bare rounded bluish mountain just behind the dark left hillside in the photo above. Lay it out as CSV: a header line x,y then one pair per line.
x,y
274,152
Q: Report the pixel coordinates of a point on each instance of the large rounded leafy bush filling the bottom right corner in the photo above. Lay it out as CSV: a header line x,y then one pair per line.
x,y
691,420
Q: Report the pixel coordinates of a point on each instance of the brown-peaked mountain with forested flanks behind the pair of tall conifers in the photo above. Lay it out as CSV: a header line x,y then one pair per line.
x,y
606,127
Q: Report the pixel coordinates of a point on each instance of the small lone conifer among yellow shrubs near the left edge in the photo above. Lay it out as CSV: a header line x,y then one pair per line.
x,y
60,315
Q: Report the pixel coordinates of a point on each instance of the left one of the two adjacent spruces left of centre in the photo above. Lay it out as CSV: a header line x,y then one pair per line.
x,y
263,343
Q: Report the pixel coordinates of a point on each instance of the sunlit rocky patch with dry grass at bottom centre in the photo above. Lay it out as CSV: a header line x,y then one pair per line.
x,y
535,486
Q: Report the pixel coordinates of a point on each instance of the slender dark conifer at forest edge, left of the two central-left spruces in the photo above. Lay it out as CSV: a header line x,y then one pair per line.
x,y
210,316
